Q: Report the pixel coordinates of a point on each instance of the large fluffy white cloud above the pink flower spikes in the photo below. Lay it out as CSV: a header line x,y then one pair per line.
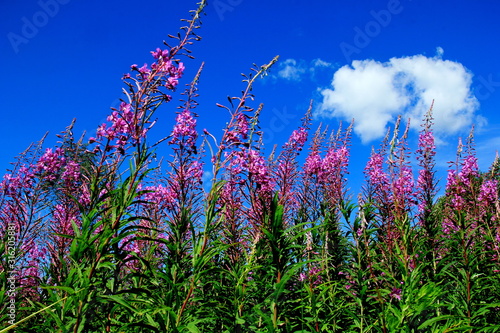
x,y
374,93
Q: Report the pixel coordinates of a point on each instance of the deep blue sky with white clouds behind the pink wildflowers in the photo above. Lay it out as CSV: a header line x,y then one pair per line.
x,y
371,60
